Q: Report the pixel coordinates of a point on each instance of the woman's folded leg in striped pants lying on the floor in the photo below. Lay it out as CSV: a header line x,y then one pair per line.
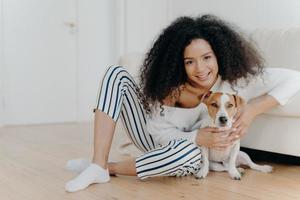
x,y
178,158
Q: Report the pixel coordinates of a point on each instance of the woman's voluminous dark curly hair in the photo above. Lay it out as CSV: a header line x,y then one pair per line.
x,y
163,71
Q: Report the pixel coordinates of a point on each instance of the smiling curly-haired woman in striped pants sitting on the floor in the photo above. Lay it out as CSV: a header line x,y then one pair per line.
x,y
191,57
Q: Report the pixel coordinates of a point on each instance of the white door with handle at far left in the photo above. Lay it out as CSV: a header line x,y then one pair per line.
x,y
40,61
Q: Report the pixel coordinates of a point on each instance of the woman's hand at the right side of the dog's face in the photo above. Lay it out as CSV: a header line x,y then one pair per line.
x,y
242,120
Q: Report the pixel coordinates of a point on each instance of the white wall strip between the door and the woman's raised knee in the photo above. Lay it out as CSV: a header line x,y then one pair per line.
x,y
96,50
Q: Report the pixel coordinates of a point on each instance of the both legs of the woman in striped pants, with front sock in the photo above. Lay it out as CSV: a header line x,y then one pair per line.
x,y
119,96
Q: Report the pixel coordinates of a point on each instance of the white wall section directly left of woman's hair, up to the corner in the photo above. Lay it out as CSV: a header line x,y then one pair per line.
x,y
142,21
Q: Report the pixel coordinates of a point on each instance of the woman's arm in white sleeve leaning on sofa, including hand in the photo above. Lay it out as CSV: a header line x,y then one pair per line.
x,y
274,88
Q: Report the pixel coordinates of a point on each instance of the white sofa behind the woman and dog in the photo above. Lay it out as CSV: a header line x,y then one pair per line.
x,y
276,131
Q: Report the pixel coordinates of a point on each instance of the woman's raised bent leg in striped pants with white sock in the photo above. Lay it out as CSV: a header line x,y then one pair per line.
x,y
118,95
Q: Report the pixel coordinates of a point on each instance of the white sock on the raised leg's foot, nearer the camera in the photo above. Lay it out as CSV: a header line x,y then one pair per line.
x,y
93,174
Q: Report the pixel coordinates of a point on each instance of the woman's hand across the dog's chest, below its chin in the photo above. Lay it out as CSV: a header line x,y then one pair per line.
x,y
217,138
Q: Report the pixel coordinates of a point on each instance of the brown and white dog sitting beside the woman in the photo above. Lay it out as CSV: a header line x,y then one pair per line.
x,y
221,108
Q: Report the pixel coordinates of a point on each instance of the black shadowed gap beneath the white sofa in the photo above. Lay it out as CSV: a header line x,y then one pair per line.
x,y
258,155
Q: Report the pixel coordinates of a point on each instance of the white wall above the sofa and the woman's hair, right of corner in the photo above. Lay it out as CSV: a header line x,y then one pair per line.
x,y
249,15
